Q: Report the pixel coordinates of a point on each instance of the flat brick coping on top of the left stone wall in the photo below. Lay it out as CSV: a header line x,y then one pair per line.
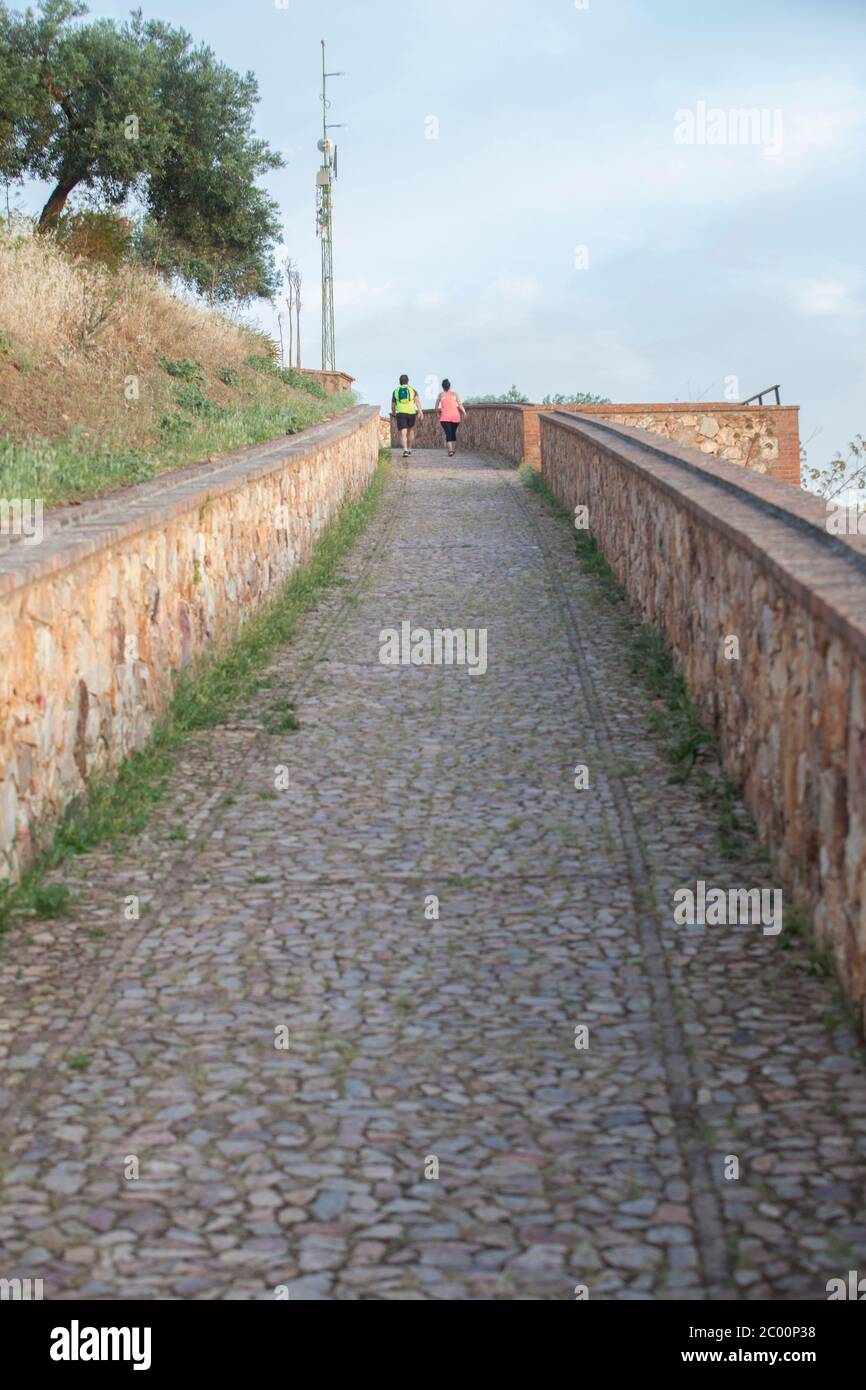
x,y
74,533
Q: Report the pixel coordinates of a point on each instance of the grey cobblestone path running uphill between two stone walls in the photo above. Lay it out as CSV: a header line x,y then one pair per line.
x,y
154,1043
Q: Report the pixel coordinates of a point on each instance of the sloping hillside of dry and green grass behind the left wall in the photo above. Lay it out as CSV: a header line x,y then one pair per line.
x,y
106,379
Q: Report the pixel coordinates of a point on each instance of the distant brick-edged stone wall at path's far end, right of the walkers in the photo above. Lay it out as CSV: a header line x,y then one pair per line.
x,y
761,439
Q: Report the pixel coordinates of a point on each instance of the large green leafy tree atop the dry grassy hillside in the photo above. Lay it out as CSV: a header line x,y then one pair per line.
x,y
140,111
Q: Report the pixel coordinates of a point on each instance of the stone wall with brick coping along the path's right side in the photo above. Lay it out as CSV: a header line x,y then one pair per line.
x,y
705,551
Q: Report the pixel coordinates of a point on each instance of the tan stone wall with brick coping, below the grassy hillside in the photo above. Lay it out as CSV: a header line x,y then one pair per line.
x,y
124,591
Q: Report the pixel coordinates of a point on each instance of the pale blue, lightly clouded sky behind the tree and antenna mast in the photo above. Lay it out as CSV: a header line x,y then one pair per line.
x,y
557,194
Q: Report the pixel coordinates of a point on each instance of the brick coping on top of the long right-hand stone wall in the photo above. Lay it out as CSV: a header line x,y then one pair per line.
x,y
782,528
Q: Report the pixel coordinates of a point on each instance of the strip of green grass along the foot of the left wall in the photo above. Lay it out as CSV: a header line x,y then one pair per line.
x,y
116,808
